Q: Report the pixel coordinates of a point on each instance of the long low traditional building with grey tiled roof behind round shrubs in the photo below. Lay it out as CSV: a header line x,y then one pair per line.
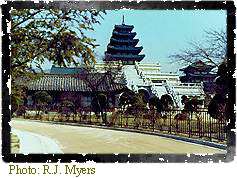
x,y
75,85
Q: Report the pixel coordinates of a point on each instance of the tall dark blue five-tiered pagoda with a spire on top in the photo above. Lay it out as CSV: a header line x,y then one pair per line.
x,y
122,46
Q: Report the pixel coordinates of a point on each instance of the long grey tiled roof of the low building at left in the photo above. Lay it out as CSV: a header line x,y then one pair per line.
x,y
51,82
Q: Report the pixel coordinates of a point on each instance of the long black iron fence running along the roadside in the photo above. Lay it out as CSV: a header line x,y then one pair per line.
x,y
197,124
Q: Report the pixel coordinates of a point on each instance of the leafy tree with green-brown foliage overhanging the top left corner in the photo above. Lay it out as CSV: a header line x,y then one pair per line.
x,y
58,36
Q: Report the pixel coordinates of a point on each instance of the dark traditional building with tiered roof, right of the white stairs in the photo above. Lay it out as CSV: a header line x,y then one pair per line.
x,y
199,72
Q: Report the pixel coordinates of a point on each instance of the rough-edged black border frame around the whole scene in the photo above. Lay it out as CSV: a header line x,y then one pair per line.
x,y
121,158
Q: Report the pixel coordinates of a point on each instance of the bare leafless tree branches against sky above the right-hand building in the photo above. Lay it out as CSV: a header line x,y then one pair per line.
x,y
212,51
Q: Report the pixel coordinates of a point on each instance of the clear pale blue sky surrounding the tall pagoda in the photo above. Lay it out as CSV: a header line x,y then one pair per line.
x,y
161,32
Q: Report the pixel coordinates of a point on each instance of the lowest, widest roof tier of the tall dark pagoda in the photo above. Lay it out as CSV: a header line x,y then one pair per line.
x,y
123,57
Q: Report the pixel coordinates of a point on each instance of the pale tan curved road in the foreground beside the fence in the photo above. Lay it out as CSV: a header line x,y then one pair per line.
x,y
75,139
